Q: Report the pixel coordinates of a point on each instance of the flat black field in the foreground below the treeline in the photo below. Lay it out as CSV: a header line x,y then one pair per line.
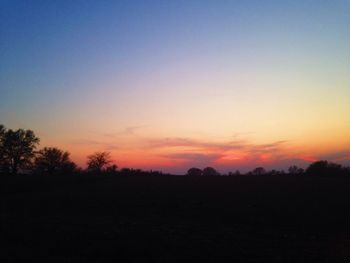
x,y
174,219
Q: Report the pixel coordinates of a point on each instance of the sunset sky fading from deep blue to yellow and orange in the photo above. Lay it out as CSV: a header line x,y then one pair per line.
x,y
168,85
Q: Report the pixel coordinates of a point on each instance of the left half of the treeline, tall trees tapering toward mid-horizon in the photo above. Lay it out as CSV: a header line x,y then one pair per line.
x,y
19,153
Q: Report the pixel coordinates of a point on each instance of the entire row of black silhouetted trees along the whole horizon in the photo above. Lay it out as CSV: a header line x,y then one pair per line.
x,y
19,154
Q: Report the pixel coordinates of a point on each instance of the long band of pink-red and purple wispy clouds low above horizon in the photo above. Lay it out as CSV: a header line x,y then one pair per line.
x,y
184,152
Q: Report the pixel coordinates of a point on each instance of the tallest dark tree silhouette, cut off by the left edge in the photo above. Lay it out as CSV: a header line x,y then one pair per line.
x,y
17,149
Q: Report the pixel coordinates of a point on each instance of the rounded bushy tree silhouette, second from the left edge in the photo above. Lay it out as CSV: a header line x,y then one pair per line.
x,y
52,160
